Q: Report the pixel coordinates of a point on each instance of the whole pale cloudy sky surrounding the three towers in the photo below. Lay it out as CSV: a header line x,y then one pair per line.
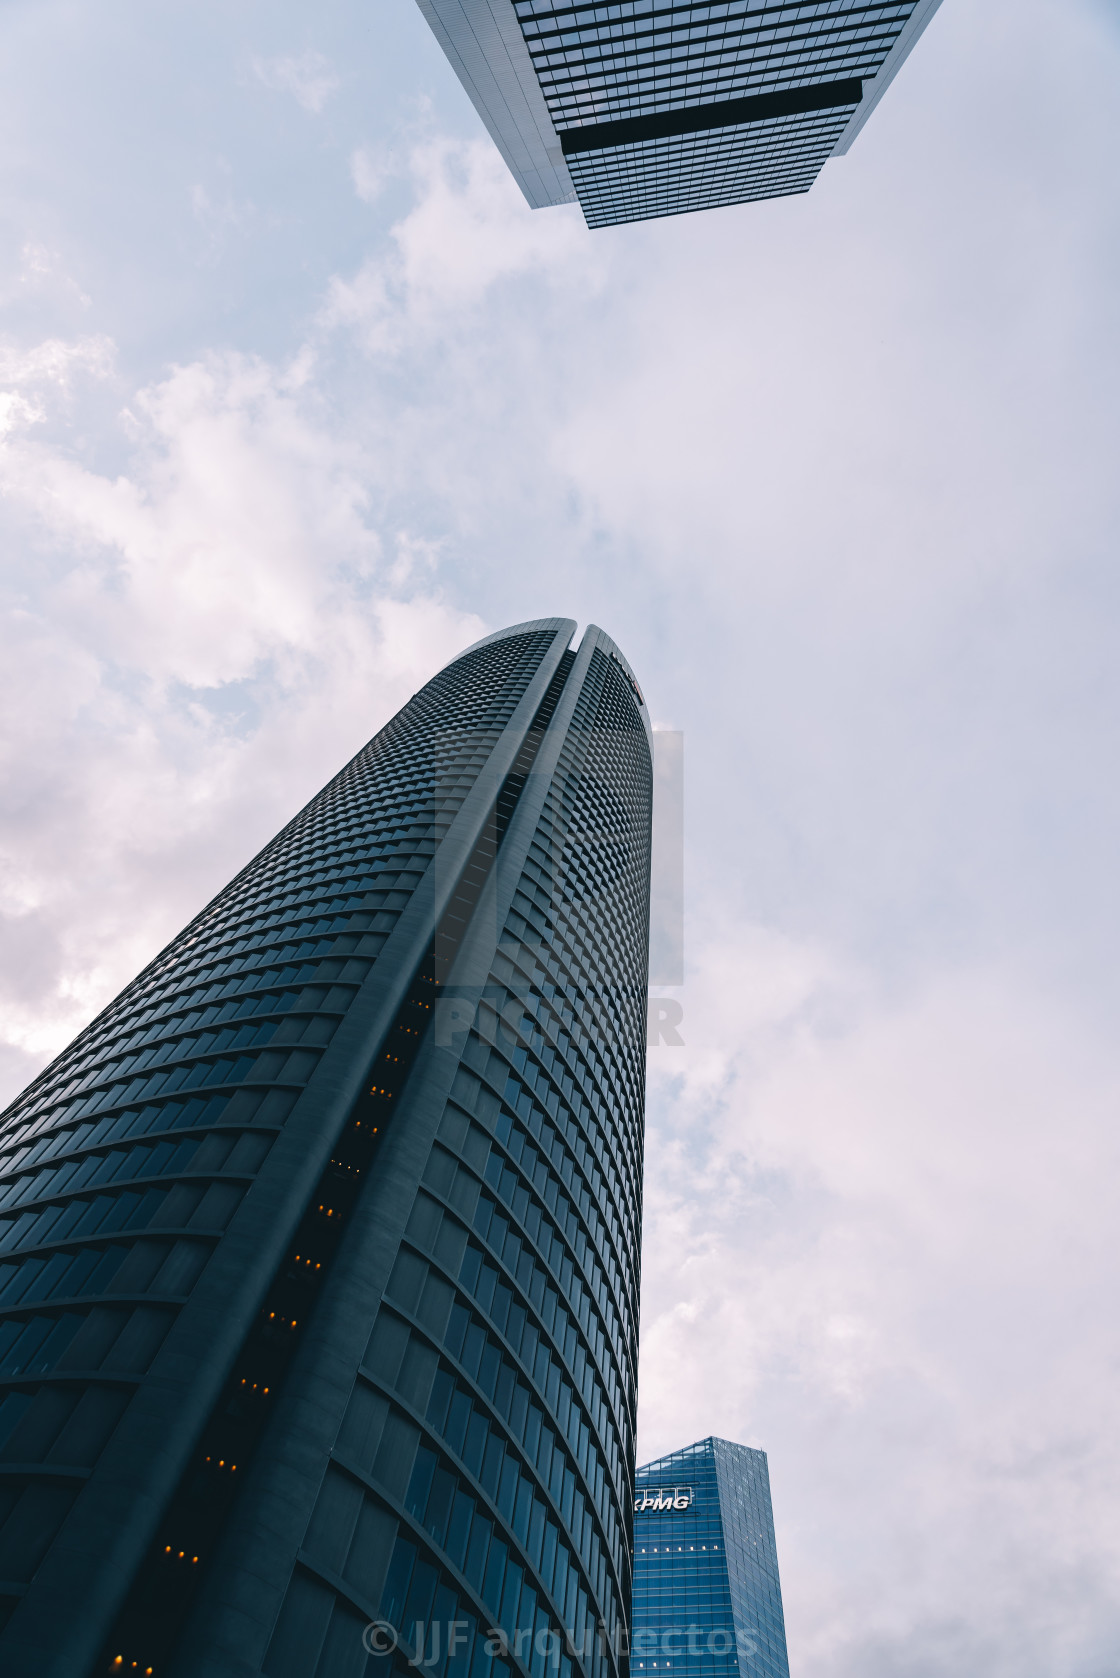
x,y
298,400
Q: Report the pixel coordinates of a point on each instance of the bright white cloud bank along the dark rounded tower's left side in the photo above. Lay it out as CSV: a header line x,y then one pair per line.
x,y
214,633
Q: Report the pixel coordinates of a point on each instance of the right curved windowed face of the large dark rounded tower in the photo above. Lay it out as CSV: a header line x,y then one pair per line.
x,y
496,1397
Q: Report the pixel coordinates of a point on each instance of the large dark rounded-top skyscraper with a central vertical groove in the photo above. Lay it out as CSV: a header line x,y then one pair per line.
x,y
320,1246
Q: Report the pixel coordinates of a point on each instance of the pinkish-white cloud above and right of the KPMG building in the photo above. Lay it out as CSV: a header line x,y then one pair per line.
x,y
879,1244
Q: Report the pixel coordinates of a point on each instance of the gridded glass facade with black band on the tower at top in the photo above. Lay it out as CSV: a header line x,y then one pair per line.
x,y
642,60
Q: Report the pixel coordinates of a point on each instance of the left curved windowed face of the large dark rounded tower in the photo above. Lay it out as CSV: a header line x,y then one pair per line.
x,y
125,1164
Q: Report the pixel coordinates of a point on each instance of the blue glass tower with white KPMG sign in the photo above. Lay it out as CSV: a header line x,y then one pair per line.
x,y
708,1598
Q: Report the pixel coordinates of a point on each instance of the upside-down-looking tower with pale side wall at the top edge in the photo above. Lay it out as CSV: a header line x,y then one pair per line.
x,y
651,108
